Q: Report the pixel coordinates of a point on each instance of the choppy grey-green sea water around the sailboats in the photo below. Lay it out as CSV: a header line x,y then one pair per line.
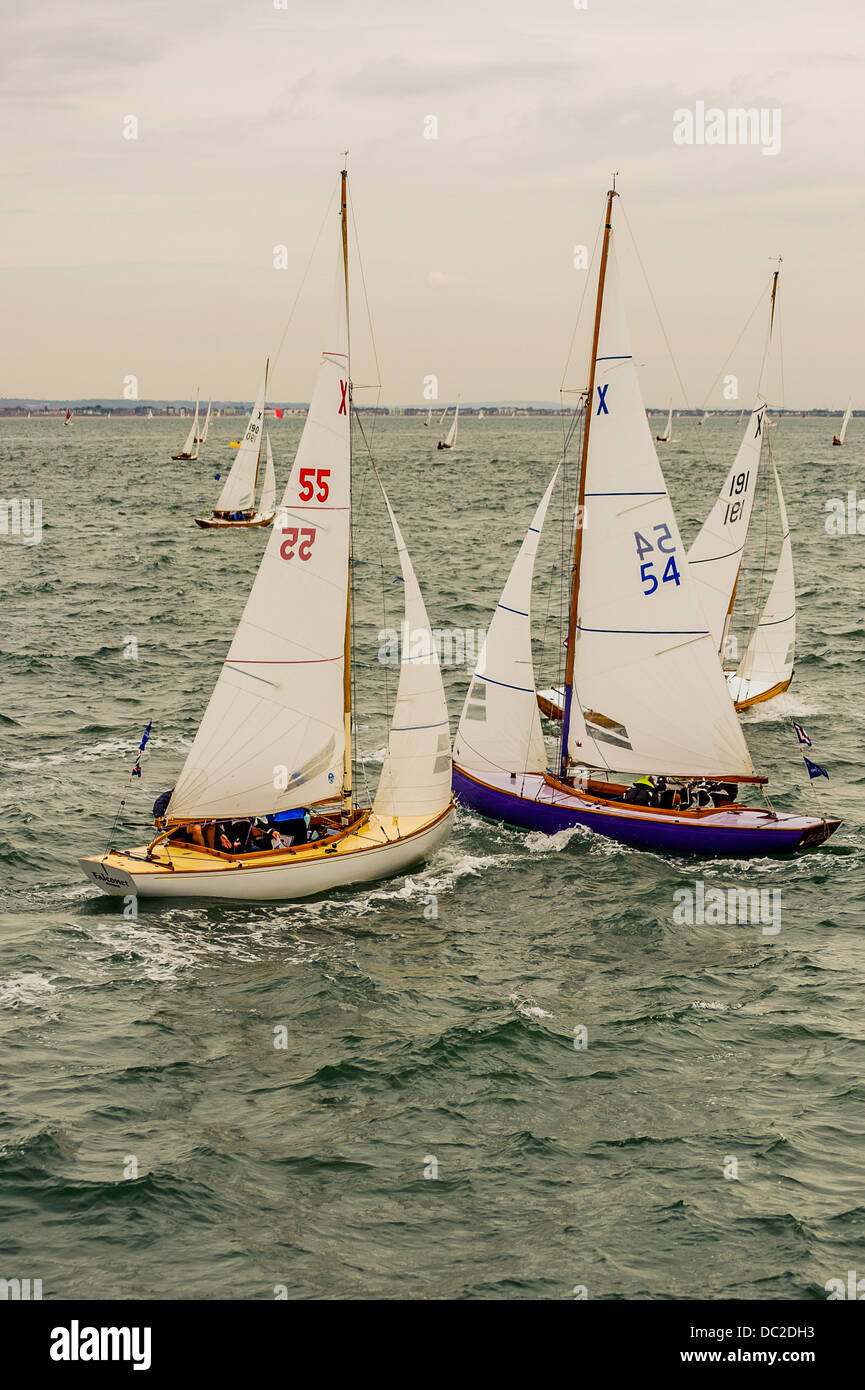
x,y
414,1043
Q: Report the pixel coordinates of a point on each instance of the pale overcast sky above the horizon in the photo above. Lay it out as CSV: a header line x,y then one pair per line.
x,y
155,256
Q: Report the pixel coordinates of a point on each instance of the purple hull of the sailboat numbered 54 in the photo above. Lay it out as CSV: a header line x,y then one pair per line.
x,y
535,806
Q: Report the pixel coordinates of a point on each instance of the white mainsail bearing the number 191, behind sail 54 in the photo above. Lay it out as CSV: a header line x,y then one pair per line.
x,y
716,557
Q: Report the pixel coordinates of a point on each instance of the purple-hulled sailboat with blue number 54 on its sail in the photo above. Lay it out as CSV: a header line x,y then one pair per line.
x,y
645,694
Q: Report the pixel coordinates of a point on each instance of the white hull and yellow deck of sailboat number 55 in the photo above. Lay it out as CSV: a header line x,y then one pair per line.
x,y
361,858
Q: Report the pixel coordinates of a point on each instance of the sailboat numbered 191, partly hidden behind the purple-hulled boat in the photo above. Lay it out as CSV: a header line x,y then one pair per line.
x,y
717,557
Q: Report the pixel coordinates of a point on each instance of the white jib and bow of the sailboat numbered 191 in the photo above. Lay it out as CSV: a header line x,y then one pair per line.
x,y
768,661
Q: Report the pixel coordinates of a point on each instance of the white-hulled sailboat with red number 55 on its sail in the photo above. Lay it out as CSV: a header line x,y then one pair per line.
x,y
275,746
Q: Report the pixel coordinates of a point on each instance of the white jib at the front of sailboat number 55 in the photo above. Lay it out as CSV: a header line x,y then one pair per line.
x,y
417,774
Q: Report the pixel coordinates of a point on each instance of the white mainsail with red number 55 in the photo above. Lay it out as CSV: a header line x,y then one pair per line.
x,y
273,736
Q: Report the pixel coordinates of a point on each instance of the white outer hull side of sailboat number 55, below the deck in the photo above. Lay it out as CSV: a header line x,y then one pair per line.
x,y
300,879
